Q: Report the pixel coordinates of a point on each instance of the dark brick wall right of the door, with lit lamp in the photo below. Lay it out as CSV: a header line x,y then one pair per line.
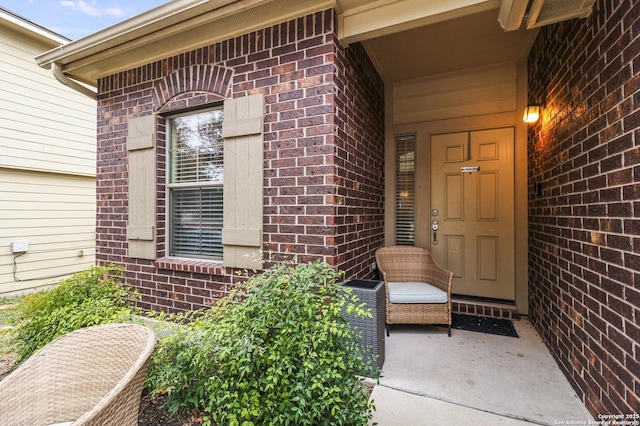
x,y
584,232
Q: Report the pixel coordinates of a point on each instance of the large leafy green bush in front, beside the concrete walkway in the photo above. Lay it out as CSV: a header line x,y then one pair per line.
x,y
276,351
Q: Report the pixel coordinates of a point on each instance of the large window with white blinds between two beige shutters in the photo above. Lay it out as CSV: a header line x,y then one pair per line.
x,y
196,176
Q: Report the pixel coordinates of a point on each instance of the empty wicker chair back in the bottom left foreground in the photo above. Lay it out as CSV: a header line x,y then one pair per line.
x,y
91,376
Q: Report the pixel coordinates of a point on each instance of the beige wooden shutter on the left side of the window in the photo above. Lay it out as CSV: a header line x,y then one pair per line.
x,y
141,228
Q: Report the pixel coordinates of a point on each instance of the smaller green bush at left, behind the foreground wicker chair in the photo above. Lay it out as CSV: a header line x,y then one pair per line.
x,y
87,298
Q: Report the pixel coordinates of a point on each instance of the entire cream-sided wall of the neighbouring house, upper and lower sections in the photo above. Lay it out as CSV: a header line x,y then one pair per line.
x,y
47,165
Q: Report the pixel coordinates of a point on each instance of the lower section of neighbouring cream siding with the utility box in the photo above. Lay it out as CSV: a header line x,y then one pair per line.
x,y
56,214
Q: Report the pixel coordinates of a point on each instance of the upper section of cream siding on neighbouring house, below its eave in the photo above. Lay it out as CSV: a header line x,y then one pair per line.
x,y
45,125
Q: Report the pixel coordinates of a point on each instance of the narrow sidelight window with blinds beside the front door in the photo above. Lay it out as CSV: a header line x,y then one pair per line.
x,y
405,185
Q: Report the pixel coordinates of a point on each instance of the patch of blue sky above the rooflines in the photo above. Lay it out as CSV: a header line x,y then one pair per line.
x,y
76,19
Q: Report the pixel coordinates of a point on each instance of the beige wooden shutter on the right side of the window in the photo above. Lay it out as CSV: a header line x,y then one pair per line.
x,y
243,180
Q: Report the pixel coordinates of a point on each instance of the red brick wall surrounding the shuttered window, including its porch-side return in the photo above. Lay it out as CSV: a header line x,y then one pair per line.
x,y
323,152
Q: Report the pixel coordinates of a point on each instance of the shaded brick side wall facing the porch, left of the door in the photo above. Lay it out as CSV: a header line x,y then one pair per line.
x,y
359,162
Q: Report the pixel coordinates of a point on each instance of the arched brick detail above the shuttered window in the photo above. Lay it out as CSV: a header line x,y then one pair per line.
x,y
194,85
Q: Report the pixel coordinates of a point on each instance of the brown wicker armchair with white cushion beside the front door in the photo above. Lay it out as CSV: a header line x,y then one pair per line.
x,y
407,270
